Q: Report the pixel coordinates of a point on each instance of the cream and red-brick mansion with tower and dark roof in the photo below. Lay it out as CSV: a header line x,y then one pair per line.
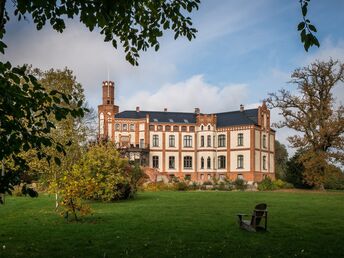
x,y
194,145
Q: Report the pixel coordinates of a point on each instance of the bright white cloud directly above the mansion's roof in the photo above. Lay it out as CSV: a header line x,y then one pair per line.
x,y
188,94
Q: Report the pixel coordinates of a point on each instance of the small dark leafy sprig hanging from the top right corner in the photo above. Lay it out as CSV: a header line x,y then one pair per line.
x,y
307,29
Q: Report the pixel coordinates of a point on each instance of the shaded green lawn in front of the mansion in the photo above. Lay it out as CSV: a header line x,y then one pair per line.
x,y
177,224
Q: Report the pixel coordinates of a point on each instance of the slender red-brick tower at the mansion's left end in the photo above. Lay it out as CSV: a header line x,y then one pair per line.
x,y
107,111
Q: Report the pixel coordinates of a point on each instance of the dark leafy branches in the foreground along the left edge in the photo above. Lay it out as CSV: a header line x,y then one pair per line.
x,y
26,113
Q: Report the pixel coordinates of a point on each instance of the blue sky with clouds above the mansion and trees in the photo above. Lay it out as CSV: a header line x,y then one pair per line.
x,y
243,51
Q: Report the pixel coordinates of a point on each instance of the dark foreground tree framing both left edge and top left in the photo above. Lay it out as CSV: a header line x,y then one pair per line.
x,y
137,25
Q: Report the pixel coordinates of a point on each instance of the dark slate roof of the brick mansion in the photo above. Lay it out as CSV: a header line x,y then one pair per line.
x,y
247,117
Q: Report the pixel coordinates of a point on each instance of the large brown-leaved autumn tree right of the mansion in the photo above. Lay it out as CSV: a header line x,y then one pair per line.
x,y
313,113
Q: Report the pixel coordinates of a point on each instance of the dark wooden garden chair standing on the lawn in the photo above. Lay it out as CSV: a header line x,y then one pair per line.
x,y
260,212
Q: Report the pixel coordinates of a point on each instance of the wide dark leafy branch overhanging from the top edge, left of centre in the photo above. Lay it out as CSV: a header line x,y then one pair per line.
x,y
136,25
